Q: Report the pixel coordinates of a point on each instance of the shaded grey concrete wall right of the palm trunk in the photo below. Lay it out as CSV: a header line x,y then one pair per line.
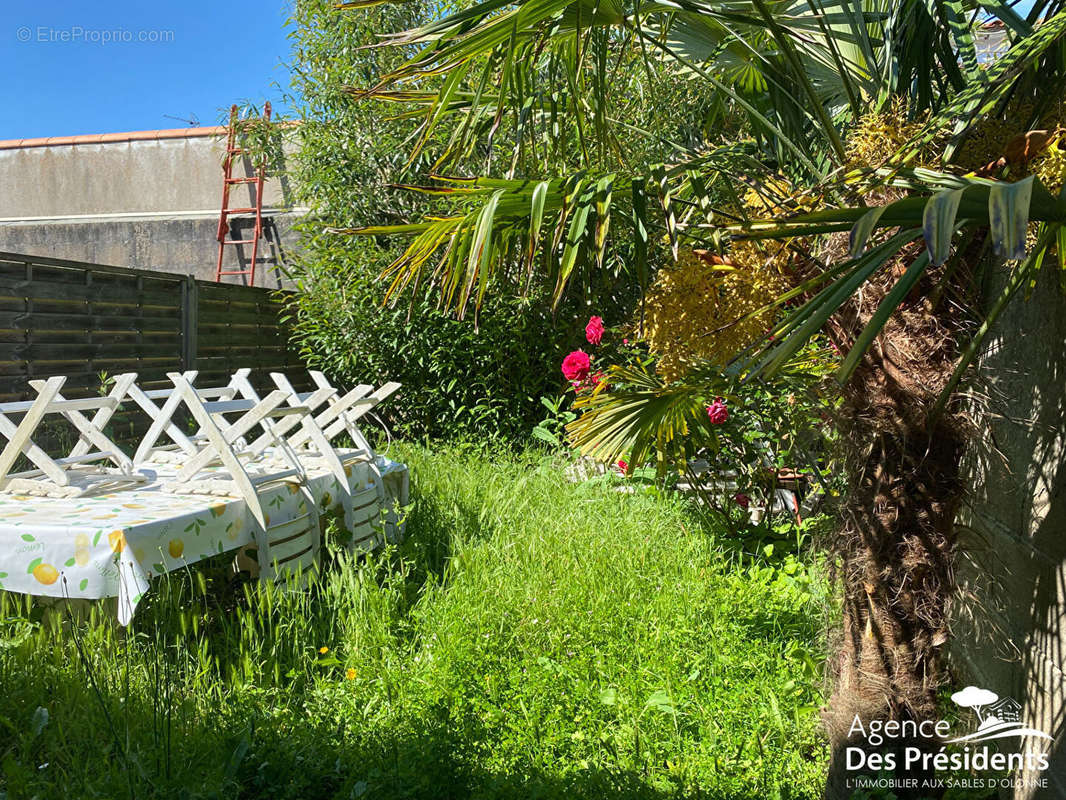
x,y
1010,628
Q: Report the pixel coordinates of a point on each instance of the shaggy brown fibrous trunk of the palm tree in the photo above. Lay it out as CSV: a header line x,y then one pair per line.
x,y
896,546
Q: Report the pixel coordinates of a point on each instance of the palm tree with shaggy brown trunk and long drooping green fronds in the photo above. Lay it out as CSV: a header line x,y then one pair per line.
x,y
889,255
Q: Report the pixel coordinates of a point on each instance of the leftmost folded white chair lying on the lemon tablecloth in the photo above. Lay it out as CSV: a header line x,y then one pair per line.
x,y
86,470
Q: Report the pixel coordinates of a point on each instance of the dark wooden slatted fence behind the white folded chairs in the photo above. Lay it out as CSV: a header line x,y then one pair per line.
x,y
83,321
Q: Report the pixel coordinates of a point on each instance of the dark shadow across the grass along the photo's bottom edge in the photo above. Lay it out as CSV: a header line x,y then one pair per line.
x,y
260,756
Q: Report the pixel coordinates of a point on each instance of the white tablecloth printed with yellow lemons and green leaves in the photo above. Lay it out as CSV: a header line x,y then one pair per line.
x,y
112,546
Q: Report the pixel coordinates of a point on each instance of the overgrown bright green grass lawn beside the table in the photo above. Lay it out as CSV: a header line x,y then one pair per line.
x,y
531,638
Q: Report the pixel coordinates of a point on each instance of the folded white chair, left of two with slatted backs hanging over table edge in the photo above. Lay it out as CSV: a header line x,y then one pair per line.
x,y
283,548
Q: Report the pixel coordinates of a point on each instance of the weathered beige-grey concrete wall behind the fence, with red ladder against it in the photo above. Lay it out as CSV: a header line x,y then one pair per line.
x,y
146,200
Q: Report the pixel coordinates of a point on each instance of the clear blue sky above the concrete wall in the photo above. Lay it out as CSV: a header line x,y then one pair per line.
x,y
98,68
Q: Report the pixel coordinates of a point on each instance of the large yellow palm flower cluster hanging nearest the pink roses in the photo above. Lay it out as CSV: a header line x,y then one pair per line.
x,y
690,308
